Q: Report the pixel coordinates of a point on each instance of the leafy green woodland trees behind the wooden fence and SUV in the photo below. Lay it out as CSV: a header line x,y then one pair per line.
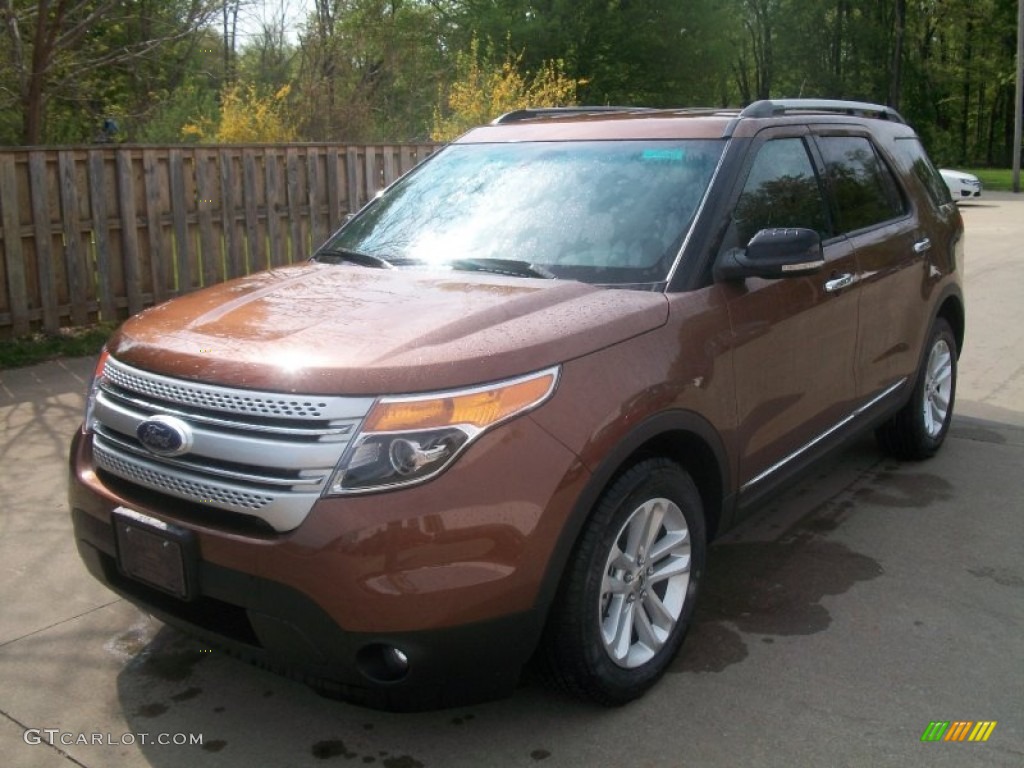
x,y
387,70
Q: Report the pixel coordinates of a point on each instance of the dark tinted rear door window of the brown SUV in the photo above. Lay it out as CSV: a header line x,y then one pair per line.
x,y
865,189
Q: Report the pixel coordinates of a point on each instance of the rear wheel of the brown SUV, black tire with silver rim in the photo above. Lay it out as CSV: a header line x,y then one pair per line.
x,y
920,429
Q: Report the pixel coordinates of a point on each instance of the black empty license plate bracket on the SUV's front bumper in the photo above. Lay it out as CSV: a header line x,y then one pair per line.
x,y
156,553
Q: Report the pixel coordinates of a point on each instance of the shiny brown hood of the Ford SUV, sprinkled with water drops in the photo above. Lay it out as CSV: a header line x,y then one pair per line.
x,y
350,330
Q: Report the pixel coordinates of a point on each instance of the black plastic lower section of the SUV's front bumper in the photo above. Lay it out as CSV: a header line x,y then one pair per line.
x,y
281,629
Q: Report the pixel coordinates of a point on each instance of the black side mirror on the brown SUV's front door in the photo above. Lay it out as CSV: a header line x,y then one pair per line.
x,y
774,253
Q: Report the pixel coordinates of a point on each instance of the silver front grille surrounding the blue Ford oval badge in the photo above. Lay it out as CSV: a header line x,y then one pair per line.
x,y
267,455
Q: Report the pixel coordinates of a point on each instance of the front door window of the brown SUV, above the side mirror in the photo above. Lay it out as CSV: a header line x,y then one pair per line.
x,y
782,191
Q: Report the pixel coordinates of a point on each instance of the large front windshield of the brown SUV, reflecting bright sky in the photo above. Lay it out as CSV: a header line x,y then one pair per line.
x,y
603,212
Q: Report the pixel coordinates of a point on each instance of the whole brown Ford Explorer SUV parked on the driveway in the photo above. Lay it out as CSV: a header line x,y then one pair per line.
x,y
501,413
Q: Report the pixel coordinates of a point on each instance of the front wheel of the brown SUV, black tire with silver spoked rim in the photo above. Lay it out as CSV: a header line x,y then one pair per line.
x,y
622,614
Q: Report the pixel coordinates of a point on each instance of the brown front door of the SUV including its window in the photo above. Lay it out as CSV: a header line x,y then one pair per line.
x,y
794,339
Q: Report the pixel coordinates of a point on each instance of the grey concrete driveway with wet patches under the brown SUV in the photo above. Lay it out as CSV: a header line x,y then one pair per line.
x,y
871,601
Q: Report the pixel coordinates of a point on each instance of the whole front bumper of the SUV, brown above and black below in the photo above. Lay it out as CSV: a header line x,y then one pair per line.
x,y
454,586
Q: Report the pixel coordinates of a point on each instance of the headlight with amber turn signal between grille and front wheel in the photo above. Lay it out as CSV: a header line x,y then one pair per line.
x,y
405,441
